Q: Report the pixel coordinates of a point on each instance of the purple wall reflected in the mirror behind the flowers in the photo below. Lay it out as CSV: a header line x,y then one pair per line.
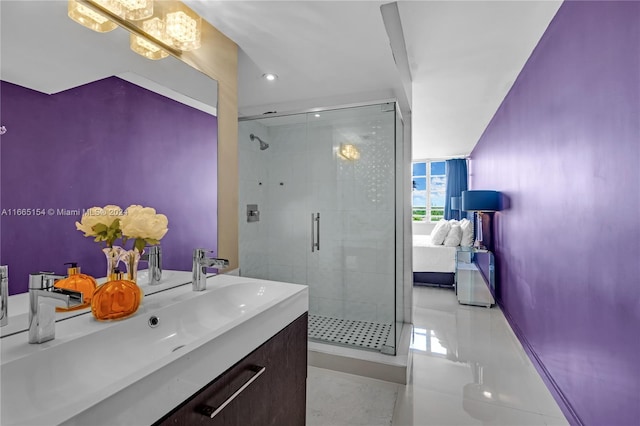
x,y
107,142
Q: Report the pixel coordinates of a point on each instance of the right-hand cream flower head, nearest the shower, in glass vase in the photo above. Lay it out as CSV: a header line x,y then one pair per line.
x,y
143,223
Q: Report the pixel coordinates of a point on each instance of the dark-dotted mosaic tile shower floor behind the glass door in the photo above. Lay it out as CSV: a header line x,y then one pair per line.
x,y
360,334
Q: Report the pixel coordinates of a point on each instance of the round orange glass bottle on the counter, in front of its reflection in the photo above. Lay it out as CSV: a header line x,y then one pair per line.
x,y
116,299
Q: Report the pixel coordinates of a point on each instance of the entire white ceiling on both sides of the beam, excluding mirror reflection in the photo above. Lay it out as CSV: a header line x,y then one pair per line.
x,y
463,55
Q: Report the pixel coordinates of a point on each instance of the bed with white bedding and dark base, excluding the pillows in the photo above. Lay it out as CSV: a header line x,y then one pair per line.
x,y
433,264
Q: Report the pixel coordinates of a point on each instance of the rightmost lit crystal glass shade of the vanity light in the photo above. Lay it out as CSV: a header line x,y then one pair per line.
x,y
183,27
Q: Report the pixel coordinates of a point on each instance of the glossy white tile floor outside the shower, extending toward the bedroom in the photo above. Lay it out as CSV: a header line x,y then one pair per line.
x,y
468,369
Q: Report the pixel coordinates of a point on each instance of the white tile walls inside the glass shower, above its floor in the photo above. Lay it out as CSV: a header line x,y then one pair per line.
x,y
352,276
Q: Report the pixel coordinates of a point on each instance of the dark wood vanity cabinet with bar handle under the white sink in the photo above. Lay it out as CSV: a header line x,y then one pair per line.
x,y
273,396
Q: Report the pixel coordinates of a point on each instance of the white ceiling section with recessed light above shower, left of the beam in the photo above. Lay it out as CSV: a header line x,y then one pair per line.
x,y
322,51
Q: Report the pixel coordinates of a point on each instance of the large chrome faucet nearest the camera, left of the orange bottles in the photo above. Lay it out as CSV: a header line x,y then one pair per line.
x,y
43,297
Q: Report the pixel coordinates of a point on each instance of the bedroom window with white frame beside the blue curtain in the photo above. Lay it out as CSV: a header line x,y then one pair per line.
x,y
429,184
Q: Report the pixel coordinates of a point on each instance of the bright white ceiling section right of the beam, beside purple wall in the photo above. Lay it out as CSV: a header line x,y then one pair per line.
x,y
464,57
